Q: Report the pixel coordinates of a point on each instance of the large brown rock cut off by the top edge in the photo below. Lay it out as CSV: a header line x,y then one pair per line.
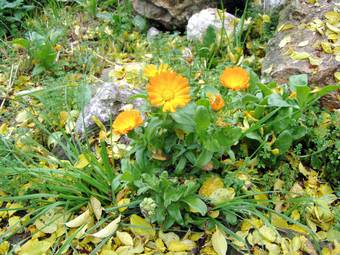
x,y
170,13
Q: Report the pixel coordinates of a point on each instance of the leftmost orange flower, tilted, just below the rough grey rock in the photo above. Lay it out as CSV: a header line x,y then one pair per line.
x,y
127,121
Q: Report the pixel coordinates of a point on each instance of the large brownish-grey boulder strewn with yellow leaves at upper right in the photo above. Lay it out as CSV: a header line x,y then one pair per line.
x,y
297,47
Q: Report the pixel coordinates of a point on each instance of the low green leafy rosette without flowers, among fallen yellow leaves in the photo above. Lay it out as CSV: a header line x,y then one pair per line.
x,y
173,201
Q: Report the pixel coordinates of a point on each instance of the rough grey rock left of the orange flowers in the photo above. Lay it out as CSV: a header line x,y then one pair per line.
x,y
107,102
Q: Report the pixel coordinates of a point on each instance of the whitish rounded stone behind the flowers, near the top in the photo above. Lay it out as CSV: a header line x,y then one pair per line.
x,y
199,23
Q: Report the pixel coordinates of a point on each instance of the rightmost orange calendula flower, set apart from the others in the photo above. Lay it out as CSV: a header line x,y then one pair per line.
x,y
235,78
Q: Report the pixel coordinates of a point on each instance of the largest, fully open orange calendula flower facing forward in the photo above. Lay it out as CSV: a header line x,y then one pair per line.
x,y
168,90
